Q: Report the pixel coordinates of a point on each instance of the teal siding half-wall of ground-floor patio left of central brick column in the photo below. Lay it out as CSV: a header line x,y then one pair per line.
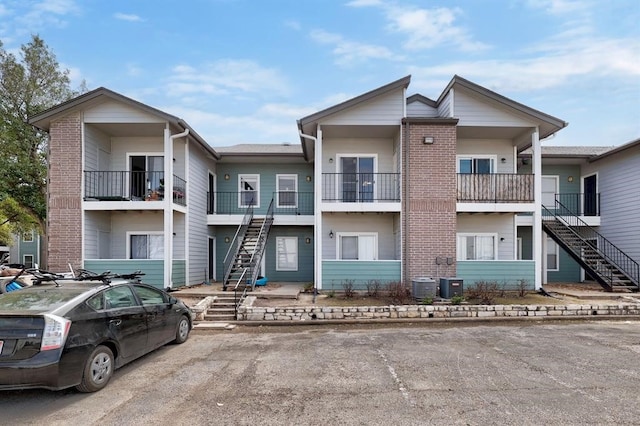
x,y
335,272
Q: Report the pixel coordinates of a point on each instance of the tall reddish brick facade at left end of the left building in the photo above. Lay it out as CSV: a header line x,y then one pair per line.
x,y
64,219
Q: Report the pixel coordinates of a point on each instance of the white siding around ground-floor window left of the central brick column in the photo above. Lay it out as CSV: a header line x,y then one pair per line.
x,y
383,224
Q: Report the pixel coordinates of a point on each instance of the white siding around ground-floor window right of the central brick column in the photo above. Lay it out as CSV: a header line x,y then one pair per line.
x,y
500,224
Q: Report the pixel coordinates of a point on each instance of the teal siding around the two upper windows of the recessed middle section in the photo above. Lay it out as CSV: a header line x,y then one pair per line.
x,y
267,174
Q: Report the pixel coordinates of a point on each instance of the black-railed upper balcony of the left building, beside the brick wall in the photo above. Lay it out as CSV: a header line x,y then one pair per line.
x,y
131,186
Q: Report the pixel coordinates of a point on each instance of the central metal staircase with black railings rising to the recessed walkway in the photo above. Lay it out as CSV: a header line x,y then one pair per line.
x,y
242,262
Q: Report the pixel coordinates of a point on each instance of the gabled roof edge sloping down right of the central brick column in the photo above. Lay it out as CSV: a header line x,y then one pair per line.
x,y
553,124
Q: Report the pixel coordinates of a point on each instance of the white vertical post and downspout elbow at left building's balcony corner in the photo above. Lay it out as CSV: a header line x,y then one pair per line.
x,y
168,206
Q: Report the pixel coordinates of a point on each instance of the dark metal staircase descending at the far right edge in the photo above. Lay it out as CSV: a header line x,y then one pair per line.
x,y
605,263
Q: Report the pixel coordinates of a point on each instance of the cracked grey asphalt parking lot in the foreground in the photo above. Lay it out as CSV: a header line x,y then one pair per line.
x,y
525,374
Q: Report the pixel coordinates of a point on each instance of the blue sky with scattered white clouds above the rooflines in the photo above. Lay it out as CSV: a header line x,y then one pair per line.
x,y
243,71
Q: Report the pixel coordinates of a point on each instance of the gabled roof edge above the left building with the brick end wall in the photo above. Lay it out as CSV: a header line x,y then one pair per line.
x,y
43,119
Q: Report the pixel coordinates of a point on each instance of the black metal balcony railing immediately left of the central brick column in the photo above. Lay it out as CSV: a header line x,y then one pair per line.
x,y
361,187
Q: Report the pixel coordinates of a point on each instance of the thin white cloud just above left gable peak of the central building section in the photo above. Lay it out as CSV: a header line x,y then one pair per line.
x,y
349,52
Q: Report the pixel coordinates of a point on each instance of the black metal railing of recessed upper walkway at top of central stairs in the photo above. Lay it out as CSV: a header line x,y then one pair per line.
x,y
285,203
